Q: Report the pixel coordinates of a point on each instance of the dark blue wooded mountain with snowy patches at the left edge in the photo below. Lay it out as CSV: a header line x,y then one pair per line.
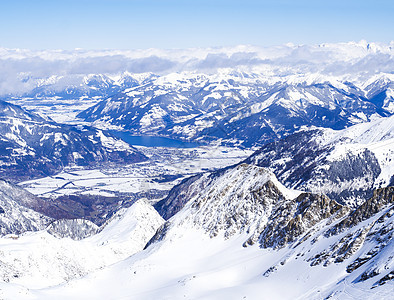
x,y
31,146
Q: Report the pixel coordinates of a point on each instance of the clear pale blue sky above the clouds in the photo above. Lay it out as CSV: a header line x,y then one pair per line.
x,y
140,24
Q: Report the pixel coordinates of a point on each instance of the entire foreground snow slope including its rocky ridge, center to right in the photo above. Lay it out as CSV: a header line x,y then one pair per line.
x,y
321,249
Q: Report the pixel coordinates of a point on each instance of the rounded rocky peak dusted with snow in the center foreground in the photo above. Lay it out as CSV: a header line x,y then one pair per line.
x,y
243,197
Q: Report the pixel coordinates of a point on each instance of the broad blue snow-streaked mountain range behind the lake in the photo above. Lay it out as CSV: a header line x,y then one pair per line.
x,y
239,107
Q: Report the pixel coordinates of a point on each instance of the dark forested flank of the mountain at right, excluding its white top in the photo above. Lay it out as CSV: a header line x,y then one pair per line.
x,y
301,162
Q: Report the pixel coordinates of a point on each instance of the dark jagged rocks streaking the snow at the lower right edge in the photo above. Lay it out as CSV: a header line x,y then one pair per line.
x,y
377,230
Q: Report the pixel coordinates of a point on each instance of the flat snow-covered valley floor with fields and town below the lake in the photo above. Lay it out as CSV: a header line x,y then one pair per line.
x,y
165,168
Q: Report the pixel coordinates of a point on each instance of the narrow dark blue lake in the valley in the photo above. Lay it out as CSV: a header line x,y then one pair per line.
x,y
153,141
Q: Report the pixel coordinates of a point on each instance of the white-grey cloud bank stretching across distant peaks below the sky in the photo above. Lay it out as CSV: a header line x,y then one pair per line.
x,y
23,70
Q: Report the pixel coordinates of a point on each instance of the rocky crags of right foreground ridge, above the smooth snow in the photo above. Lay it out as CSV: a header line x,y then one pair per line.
x,y
248,201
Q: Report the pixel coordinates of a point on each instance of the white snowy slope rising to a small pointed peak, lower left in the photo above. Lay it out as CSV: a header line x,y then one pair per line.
x,y
41,260
